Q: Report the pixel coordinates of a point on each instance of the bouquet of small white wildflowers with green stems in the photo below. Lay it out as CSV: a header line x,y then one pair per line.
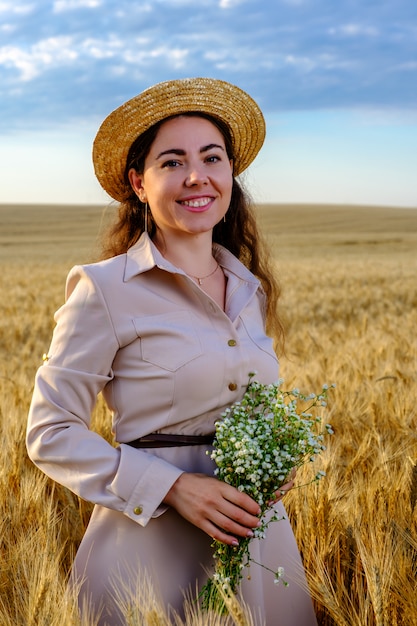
x,y
258,443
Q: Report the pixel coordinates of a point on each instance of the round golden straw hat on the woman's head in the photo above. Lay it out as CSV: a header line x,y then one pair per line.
x,y
215,97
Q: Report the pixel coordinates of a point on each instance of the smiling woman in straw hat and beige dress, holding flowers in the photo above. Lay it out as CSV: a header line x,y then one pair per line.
x,y
168,327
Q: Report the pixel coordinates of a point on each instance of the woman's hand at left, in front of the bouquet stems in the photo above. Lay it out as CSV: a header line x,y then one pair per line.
x,y
219,509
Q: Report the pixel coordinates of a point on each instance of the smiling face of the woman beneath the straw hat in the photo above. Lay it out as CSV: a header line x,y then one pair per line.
x,y
187,178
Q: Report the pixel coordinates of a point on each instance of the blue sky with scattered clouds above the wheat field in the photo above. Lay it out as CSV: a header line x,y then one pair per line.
x,y
336,80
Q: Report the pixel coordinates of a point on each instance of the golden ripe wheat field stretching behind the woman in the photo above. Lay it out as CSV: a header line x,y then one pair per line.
x,y
349,301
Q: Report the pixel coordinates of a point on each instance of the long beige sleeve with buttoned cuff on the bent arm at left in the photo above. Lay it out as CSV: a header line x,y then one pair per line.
x,y
59,439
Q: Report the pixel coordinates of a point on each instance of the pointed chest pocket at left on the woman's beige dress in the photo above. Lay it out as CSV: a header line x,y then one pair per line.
x,y
169,340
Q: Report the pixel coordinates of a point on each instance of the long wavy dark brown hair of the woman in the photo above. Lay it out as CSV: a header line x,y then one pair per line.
x,y
239,233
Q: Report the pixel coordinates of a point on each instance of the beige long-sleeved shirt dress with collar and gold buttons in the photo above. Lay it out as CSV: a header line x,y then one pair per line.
x,y
166,359
